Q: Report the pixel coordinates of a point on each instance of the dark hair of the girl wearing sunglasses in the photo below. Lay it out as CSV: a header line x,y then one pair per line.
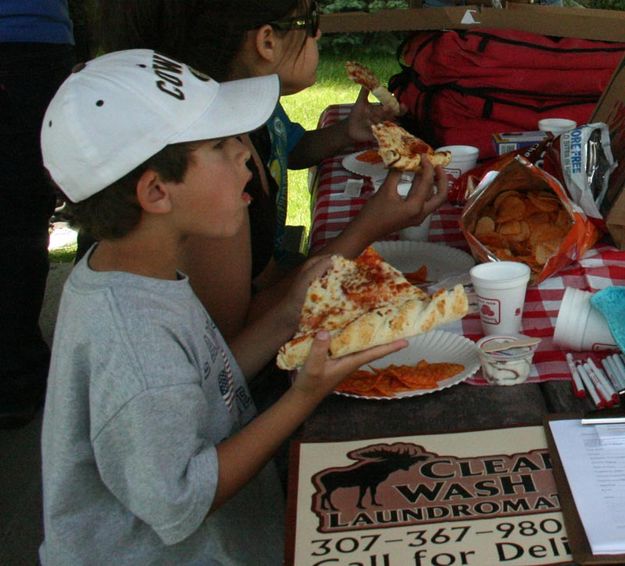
x,y
205,34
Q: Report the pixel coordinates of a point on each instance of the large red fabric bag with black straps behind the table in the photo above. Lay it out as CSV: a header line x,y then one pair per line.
x,y
462,86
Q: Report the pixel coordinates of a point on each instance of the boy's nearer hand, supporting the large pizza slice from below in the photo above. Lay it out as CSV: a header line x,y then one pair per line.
x,y
320,375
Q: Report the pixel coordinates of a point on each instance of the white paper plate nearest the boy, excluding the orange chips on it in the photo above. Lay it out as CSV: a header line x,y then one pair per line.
x,y
433,346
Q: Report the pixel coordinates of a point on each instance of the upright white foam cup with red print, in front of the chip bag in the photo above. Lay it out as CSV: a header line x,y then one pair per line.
x,y
500,287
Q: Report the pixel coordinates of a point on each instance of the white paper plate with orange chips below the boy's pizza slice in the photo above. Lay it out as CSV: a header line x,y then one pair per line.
x,y
431,362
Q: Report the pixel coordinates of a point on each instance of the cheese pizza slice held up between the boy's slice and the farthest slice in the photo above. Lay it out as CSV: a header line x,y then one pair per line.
x,y
399,149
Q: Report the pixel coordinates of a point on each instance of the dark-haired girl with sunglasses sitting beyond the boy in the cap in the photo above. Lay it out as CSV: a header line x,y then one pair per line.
x,y
231,39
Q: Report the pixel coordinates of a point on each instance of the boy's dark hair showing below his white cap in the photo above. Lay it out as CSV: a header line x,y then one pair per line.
x,y
114,211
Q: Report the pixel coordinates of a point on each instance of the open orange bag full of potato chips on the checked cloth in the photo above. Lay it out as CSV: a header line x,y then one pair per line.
x,y
524,214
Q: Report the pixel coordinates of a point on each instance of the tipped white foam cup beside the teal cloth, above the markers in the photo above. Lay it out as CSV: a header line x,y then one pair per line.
x,y
579,326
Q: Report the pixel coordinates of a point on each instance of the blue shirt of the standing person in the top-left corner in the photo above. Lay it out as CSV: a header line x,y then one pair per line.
x,y
35,21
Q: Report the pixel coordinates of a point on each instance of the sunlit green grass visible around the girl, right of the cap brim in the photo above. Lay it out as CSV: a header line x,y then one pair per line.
x,y
332,87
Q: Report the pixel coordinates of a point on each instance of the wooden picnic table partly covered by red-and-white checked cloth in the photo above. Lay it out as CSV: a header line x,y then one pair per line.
x,y
465,406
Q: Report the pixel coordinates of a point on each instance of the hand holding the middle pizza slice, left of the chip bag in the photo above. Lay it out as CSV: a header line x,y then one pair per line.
x,y
387,212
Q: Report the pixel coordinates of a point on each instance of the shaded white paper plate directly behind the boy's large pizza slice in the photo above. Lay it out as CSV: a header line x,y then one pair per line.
x,y
442,261
